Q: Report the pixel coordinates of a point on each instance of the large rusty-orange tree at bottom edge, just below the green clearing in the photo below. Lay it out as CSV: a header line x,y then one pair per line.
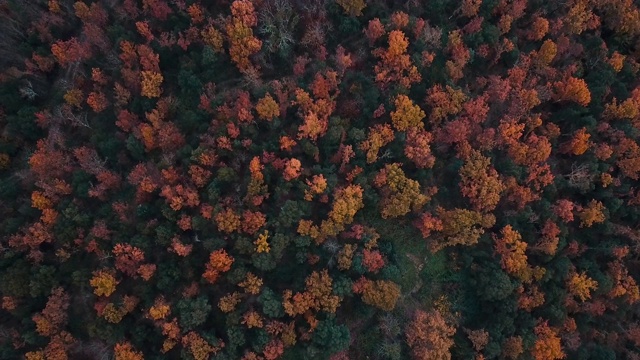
x,y
429,336
